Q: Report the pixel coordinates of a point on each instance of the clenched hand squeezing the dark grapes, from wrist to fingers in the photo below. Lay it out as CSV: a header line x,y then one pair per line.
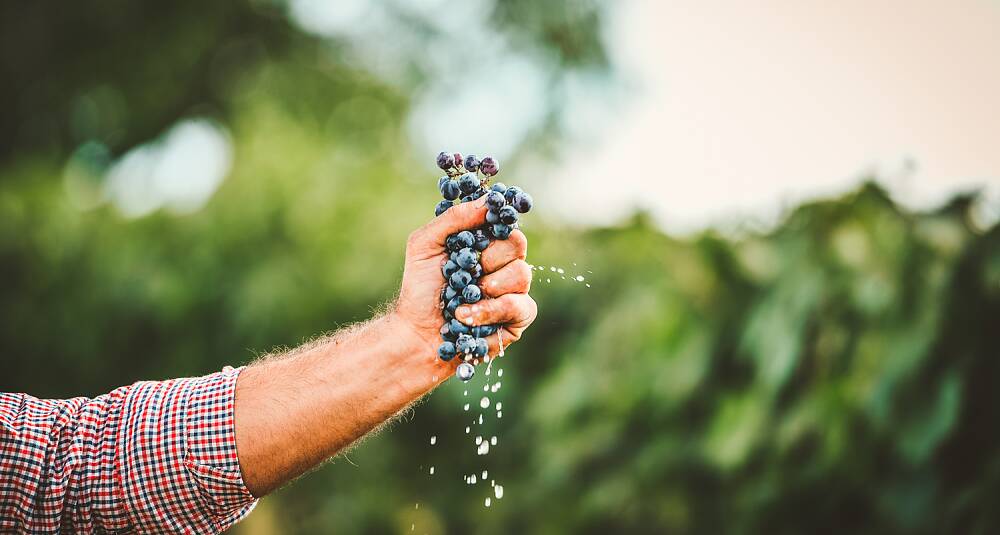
x,y
505,283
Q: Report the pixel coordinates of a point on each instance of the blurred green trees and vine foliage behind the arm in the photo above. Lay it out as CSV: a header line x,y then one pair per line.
x,y
836,373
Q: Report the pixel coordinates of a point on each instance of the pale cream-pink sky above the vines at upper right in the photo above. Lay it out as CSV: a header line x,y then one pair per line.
x,y
743,107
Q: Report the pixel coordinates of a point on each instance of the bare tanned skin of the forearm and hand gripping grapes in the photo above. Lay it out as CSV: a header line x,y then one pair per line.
x,y
297,409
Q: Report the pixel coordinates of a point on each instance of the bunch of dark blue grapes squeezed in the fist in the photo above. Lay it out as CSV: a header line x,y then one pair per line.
x,y
462,271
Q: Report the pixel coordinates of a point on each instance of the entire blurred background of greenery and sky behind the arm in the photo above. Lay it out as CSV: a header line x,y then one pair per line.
x,y
785,216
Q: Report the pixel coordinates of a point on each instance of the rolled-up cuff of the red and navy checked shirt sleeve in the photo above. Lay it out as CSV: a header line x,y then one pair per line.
x,y
178,463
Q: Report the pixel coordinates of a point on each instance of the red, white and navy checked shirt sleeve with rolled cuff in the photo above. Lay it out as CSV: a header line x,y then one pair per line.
x,y
156,456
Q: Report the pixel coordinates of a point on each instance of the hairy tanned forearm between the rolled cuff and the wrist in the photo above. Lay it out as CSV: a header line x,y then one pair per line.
x,y
294,410
